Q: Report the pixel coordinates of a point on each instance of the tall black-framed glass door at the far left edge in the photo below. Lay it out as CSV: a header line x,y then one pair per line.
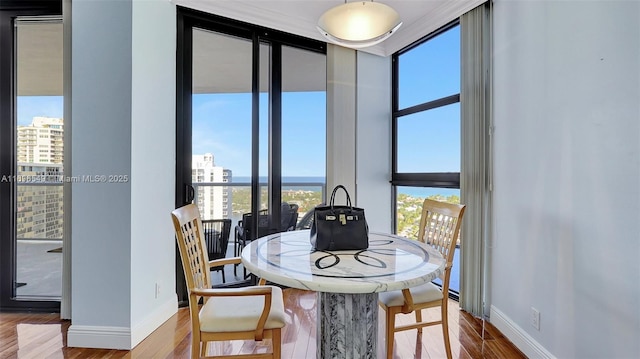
x,y
31,161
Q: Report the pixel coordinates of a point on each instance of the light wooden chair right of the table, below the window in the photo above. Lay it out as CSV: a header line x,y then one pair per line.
x,y
440,228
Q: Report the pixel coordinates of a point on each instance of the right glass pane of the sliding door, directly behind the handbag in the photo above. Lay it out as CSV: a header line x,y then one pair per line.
x,y
303,132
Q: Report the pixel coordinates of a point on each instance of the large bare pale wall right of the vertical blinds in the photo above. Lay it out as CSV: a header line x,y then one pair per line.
x,y
566,200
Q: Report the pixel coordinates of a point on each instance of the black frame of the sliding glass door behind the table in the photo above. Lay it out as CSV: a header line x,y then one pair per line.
x,y
187,21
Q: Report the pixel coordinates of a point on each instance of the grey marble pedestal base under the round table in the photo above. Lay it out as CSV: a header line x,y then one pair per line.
x,y
347,326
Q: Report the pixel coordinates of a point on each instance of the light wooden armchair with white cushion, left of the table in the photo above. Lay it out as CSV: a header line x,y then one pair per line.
x,y
250,313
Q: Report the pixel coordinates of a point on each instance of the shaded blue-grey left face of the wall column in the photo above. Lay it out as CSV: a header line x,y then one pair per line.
x,y
101,138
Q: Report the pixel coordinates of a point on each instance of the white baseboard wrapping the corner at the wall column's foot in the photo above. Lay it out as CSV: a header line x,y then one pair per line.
x,y
121,338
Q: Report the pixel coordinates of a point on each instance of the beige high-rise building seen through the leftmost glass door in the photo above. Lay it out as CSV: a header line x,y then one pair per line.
x,y
39,179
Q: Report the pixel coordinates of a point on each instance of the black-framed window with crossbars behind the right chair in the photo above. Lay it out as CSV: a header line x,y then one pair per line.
x,y
426,128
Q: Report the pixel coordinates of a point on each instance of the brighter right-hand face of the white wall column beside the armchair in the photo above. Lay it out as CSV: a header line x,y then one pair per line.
x,y
153,168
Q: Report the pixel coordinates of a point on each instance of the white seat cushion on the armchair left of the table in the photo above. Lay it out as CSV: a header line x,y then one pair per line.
x,y
233,314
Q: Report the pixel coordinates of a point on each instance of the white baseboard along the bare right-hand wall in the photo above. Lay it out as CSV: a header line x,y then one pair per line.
x,y
519,338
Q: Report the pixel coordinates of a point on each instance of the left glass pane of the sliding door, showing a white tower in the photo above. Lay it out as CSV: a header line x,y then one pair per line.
x,y
221,125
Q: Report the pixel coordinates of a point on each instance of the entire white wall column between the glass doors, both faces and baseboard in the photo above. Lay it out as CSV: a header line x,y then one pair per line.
x,y
123,107
